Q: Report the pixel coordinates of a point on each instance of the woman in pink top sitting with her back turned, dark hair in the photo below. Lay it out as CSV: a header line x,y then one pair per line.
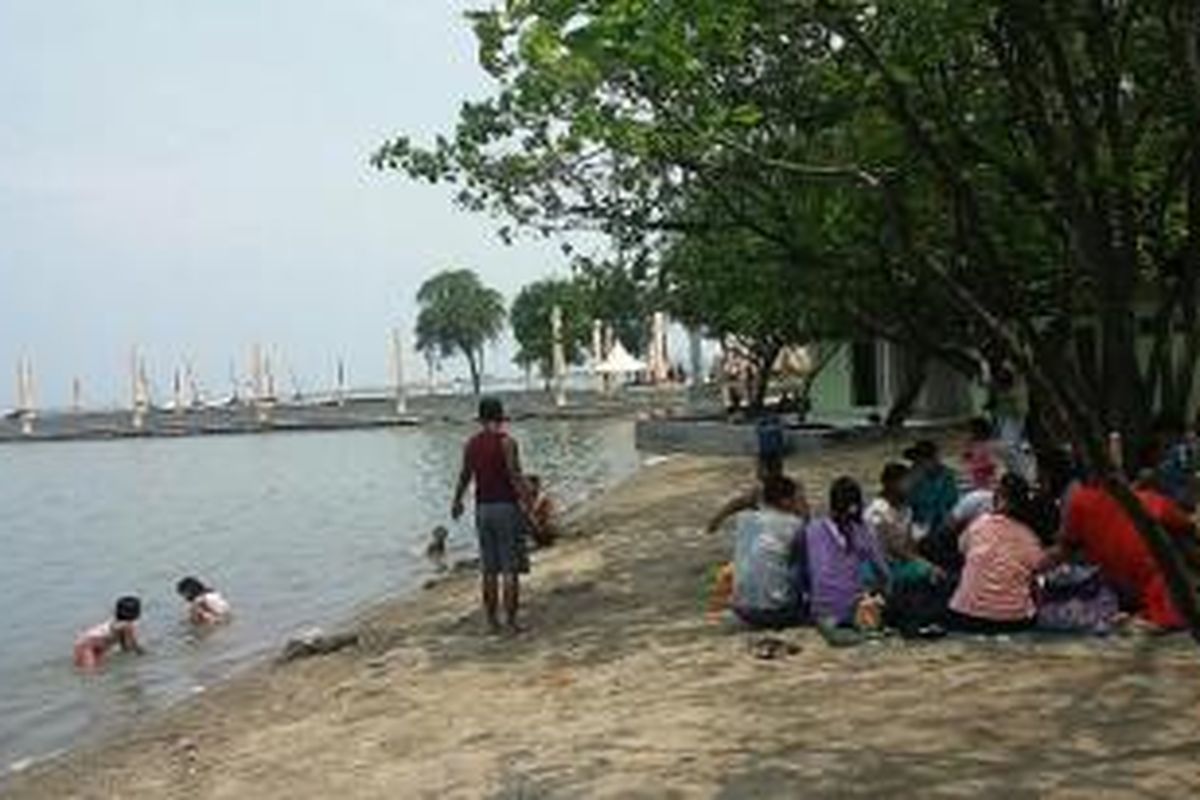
x,y
1003,555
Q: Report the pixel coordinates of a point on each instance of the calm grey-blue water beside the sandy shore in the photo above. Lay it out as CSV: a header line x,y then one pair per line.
x,y
296,531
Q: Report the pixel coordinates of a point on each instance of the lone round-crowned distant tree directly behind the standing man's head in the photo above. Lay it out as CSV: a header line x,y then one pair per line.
x,y
459,314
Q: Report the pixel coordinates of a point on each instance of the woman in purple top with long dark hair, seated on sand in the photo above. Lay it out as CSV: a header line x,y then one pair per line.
x,y
844,557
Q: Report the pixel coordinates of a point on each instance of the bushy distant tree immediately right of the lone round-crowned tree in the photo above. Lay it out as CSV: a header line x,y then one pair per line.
x,y
531,318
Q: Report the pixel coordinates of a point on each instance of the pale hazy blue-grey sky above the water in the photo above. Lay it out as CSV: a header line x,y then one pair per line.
x,y
193,178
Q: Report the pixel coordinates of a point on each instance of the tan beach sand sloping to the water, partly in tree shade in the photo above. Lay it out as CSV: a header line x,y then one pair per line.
x,y
623,689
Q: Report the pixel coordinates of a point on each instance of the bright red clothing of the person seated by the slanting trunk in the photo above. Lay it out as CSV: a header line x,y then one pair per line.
x,y
1096,525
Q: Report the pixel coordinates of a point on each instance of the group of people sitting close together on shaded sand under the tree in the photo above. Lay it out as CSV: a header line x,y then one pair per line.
x,y
993,552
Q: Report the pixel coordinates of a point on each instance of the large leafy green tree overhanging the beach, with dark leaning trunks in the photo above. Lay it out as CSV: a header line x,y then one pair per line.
x,y
1001,172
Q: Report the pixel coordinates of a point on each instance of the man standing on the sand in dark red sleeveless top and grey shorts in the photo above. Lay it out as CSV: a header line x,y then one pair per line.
x,y
493,462
